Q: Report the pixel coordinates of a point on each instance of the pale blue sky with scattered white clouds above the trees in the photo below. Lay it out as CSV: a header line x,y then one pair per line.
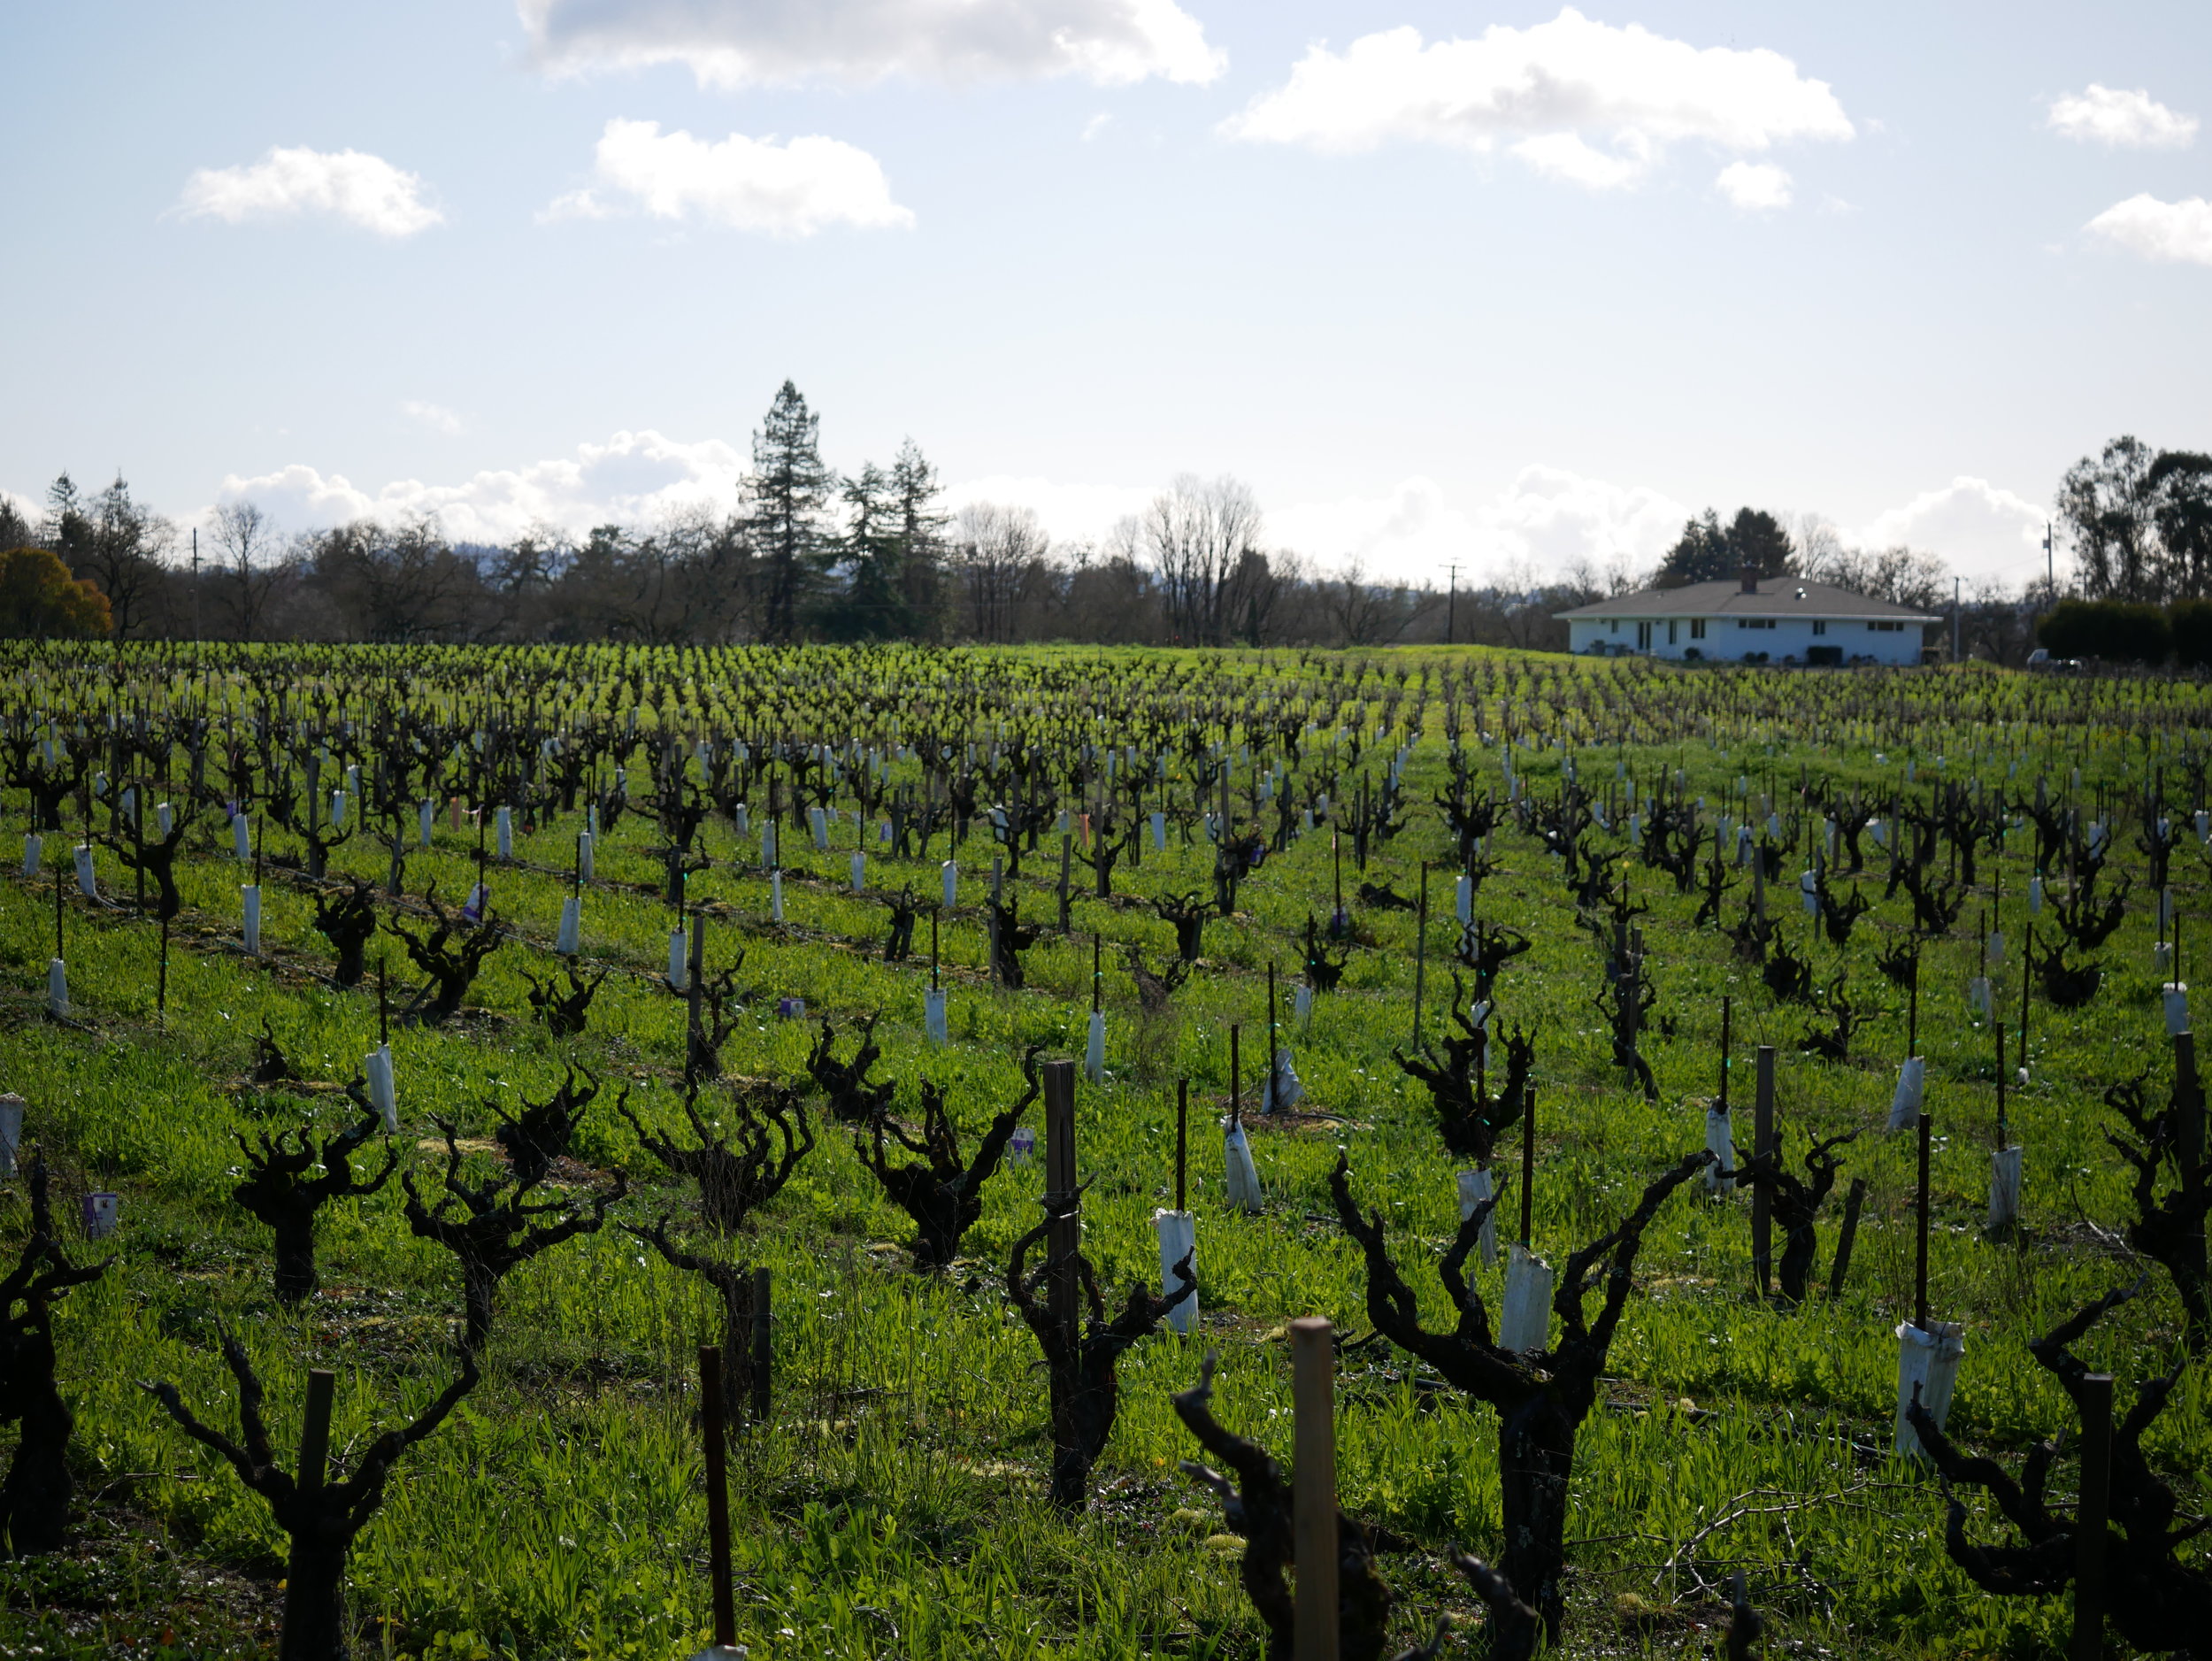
x,y
1496,284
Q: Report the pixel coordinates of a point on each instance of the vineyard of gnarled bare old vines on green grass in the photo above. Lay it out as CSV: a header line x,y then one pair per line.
x,y
417,1056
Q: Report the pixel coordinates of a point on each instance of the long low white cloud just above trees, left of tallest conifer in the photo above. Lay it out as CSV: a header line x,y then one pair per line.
x,y
632,479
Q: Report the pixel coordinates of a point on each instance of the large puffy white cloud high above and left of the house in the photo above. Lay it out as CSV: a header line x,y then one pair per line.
x,y
1583,101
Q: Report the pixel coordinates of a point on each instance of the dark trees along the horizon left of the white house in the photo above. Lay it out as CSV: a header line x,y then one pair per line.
x,y
806,554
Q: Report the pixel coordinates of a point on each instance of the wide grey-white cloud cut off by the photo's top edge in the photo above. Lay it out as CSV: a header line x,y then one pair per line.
x,y
747,43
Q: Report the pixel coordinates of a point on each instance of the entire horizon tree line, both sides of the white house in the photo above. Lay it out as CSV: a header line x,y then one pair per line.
x,y
870,556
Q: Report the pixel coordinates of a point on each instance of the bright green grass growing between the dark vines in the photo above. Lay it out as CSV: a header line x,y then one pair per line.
x,y
897,1501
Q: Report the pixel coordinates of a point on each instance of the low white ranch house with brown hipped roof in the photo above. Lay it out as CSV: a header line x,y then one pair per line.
x,y
1773,620
